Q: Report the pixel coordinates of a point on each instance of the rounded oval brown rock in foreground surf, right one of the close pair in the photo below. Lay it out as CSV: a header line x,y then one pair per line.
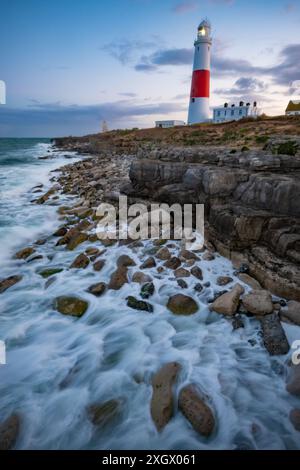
x,y
196,411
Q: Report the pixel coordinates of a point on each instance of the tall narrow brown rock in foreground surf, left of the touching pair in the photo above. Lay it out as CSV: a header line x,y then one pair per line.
x,y
162,403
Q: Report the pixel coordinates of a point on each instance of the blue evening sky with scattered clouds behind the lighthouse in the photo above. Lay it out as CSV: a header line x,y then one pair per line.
x,y
69,64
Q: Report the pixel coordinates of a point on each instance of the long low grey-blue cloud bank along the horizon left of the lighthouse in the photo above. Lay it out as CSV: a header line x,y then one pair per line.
x,y
53,119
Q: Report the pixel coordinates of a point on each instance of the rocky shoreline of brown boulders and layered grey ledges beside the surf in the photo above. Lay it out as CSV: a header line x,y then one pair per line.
x,y
240,226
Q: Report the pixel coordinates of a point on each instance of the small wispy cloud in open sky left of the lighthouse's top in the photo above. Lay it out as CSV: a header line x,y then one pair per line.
x,y
125,50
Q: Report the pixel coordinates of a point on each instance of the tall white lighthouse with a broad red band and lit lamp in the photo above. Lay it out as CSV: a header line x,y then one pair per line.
x,y
199,98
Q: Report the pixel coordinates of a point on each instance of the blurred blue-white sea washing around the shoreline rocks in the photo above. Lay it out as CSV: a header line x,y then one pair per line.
x,y
57,366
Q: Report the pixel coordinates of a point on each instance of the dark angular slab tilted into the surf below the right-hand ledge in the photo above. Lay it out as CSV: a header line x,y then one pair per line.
x,y
274,337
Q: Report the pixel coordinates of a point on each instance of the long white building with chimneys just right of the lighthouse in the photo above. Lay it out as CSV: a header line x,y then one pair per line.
x,y
234,113
